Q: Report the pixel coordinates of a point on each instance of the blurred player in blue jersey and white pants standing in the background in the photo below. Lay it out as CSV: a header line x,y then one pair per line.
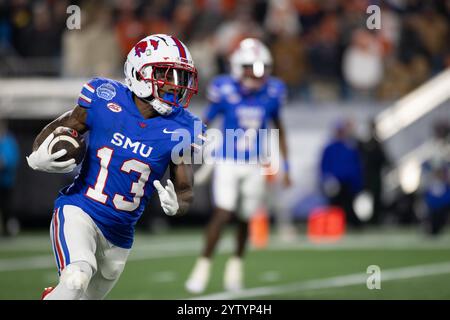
x,y
248,100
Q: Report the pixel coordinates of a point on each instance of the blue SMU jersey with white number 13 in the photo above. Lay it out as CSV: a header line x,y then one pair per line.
x,y
125,154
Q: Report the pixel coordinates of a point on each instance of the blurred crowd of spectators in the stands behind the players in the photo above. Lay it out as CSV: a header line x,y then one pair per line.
x,y
319,46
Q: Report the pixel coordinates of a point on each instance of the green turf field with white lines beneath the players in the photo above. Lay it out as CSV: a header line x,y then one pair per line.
x,y
412,267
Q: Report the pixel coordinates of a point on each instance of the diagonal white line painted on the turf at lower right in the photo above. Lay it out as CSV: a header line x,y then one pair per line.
x,y
333,282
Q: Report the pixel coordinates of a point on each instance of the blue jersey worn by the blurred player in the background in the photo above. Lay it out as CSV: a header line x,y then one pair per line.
x,y
248,112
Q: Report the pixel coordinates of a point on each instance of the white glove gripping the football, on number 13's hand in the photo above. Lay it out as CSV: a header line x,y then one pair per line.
x,y
41,160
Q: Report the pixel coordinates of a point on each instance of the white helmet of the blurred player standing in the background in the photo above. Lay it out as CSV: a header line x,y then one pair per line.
x,y
251,63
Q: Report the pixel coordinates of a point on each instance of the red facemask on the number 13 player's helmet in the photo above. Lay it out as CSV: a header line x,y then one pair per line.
x,y
171,83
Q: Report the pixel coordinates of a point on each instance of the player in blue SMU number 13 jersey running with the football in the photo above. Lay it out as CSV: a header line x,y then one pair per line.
x,y
131,130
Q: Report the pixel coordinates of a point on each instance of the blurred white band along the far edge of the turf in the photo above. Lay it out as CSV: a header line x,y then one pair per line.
x,y
190,246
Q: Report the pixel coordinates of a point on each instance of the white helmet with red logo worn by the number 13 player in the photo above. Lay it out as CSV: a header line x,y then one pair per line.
x,y
159,69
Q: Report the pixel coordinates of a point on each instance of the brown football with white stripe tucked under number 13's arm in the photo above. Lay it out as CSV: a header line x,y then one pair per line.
x,y
71,140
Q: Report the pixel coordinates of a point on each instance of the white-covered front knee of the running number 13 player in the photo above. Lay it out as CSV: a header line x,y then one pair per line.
x,y
76,276
